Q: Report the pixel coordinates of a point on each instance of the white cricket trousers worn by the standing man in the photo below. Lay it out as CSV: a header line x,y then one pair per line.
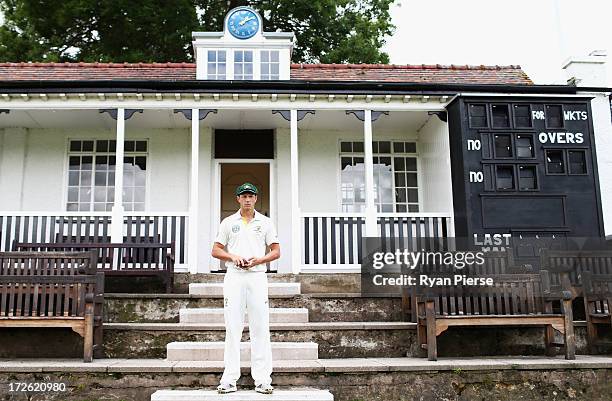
x,y
244,290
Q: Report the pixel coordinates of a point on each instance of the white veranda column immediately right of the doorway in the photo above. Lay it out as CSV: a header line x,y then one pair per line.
x,y
296,238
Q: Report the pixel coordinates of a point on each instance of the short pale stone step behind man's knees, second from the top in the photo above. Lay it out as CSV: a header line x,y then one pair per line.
x,y
215,315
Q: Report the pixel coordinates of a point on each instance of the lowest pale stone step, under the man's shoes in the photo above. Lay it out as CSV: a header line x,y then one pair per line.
x,y
212,395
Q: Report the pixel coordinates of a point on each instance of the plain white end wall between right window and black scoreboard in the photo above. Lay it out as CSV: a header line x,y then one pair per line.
x,y
434,154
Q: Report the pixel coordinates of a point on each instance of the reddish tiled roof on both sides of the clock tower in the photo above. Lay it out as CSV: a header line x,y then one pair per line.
x,y
452,74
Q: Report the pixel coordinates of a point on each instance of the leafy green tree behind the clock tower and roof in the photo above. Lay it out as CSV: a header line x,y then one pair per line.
x,y
327,31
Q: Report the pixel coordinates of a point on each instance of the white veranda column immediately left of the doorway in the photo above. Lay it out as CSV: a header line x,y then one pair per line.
x,y
194,193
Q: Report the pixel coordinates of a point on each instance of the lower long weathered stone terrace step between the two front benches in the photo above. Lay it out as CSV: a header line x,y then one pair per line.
x,y
335,339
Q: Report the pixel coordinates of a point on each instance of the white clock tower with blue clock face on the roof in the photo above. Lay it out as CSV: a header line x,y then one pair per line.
x,y
243,51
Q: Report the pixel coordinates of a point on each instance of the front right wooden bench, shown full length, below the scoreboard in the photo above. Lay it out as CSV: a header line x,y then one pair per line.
x,y
512,300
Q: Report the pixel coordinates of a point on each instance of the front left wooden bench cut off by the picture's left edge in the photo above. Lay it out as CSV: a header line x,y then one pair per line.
x,y
53,289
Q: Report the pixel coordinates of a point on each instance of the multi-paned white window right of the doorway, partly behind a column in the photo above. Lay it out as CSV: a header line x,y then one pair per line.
x,y
395,176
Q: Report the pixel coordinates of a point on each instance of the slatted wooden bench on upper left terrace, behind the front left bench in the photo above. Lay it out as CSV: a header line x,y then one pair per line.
x,y
121,259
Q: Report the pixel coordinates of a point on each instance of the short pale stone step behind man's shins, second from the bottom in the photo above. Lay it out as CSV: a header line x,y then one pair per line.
x,y
213,351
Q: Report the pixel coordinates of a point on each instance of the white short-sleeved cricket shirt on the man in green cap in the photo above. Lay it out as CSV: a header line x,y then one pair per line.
x,y
246,239
